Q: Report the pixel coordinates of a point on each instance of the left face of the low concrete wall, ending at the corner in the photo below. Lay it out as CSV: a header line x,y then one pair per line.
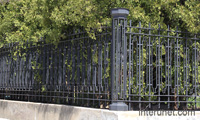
x,y
17,110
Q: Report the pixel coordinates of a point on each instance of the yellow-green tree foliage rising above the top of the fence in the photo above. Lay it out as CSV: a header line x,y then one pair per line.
x,y
23,20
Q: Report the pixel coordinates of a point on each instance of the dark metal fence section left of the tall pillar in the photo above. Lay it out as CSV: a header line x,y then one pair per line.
x,y
75,72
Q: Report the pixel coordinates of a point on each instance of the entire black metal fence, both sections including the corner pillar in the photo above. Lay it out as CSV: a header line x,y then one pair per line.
x,y
145,68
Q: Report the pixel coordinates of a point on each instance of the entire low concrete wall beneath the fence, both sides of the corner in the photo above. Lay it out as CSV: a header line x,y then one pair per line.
x,y
16,110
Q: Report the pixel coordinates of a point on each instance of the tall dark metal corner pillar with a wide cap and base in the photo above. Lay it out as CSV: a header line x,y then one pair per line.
x,y
119,59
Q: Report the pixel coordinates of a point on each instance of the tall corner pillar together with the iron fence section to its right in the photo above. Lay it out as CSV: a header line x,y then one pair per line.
x,y
154,68
